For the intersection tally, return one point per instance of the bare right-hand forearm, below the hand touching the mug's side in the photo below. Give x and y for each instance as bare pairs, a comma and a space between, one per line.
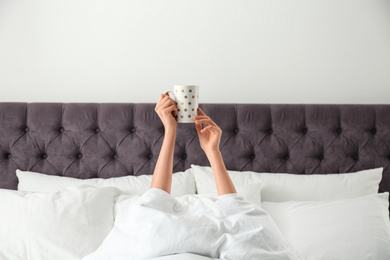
221, 176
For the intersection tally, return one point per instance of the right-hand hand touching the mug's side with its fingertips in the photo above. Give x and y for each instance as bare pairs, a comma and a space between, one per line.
210, 136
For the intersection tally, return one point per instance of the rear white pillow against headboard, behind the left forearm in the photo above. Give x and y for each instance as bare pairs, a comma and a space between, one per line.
182, 182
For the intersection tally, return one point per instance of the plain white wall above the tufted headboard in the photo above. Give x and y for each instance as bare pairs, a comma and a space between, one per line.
241, 51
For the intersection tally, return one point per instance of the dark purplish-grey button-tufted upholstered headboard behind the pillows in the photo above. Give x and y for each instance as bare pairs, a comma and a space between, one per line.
90, 140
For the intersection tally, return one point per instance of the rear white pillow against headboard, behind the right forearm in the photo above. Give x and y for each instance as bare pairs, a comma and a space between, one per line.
285, 187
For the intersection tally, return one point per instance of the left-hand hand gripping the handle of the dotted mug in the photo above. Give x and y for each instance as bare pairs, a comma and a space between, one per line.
166, 109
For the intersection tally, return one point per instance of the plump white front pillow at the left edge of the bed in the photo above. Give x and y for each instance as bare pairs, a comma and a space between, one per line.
63, 225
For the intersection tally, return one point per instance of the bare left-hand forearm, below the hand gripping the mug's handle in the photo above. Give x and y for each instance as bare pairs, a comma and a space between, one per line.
162, 176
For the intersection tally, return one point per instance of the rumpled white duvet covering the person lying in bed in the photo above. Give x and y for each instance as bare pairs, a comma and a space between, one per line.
159, 226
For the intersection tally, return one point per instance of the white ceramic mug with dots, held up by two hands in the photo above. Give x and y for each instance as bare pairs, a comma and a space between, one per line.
186, 98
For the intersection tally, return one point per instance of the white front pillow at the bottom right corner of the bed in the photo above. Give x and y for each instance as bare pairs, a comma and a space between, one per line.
345, 229
